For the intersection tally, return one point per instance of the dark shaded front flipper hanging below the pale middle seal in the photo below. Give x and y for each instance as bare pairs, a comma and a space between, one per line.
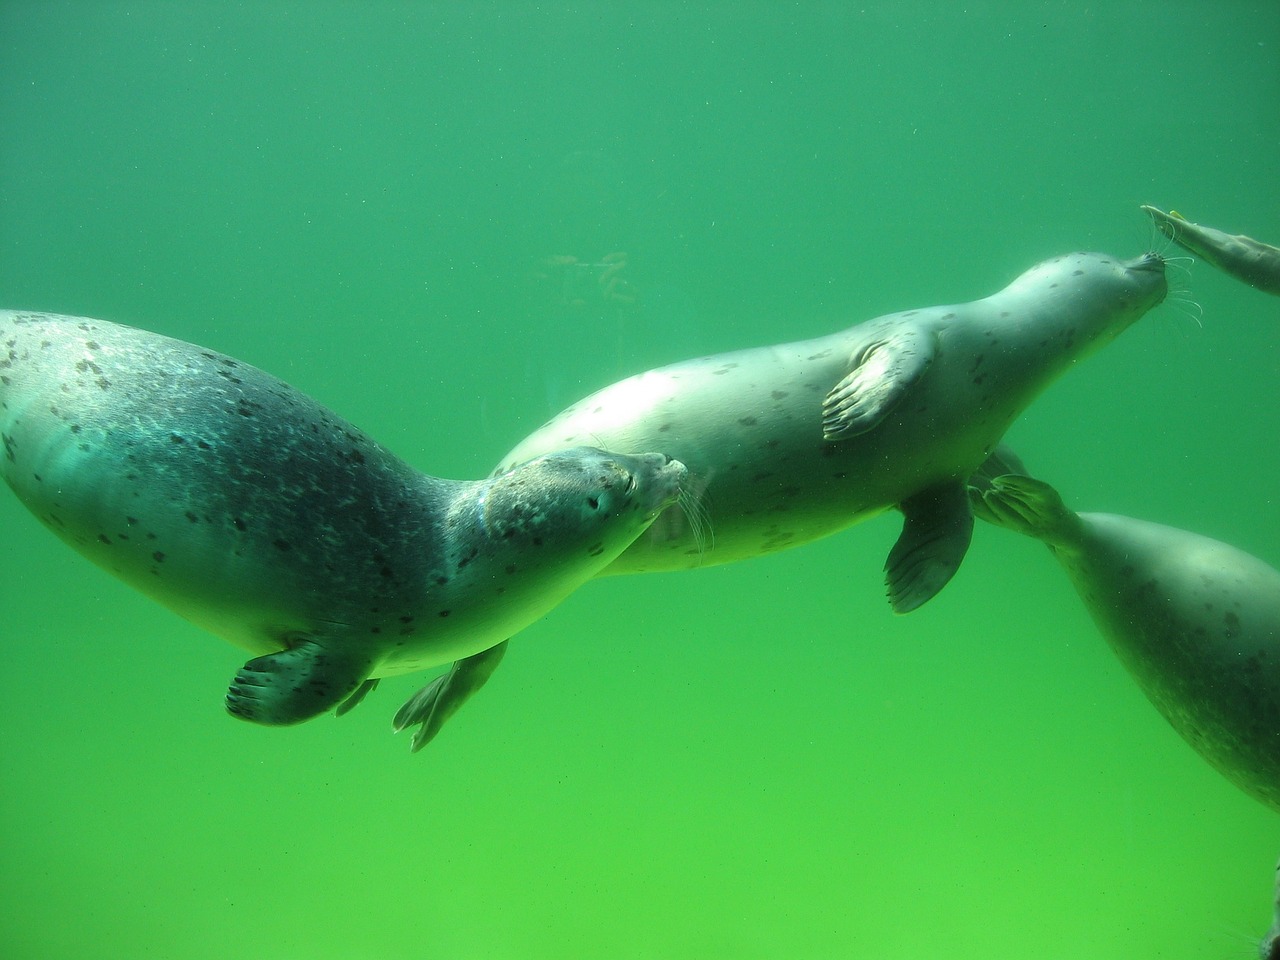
936, 532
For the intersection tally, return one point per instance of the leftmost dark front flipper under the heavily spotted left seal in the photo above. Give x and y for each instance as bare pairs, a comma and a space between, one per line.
296, 684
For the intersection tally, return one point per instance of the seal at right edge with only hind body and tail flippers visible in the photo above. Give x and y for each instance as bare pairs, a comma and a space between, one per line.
1195, 621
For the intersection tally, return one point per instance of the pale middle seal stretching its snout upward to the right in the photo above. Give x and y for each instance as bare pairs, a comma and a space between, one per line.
794, 442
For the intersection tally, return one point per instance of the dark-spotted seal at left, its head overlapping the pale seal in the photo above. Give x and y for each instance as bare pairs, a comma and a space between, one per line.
268, 520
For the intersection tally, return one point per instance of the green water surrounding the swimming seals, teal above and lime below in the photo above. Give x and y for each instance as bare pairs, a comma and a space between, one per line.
449, 222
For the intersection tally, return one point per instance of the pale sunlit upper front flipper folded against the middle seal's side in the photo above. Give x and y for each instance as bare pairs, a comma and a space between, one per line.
881, 376
